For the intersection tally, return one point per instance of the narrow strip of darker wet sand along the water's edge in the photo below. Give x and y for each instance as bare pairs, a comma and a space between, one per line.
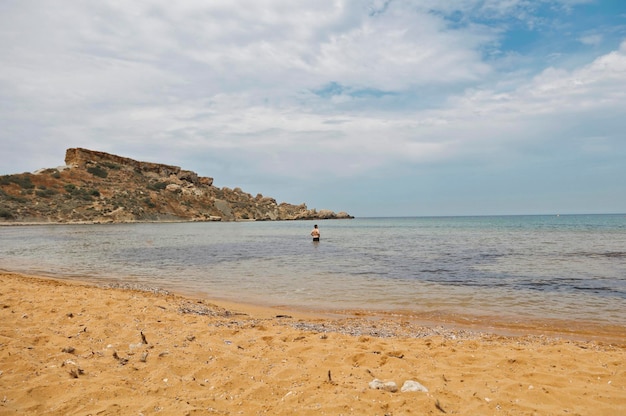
575, 330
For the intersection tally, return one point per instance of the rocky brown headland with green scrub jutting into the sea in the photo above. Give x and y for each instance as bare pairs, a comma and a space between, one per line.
100, 187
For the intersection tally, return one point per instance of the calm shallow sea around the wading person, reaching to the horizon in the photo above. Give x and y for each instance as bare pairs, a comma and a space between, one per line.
562, 267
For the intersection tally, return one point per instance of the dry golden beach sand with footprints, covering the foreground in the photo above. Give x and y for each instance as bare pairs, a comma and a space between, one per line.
74, 348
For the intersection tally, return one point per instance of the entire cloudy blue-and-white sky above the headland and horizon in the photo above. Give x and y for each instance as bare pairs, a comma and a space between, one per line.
376, 108
